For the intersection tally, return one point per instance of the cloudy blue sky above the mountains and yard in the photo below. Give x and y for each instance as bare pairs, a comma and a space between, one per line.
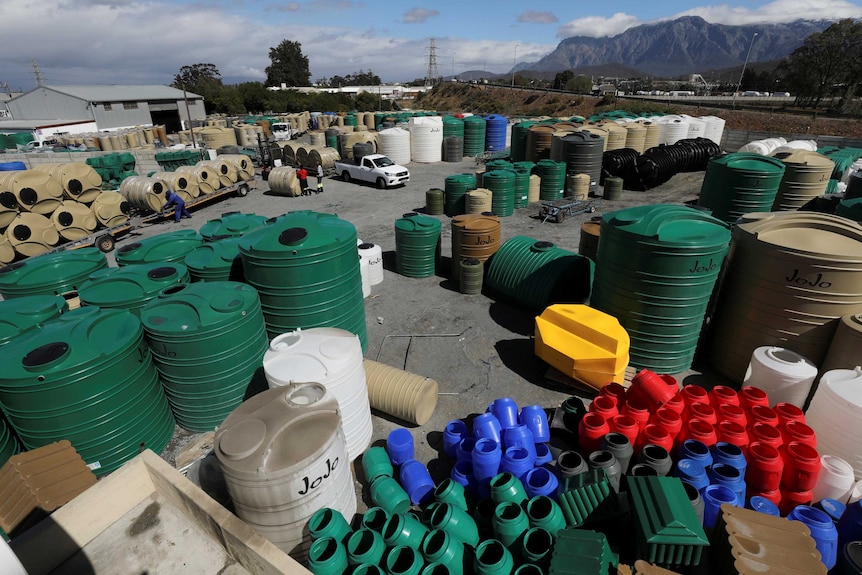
147, 41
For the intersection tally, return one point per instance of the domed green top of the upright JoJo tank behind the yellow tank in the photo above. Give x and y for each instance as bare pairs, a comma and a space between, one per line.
669, 225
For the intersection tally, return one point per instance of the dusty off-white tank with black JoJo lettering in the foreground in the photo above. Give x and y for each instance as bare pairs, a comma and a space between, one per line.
283, 457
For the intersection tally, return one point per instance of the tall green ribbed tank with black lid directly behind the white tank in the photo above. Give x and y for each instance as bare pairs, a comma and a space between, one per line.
305, 266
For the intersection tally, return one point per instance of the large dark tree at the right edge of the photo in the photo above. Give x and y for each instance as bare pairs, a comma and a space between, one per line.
827, 61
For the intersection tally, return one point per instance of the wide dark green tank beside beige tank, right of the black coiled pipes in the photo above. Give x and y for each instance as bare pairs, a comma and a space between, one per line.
739, 183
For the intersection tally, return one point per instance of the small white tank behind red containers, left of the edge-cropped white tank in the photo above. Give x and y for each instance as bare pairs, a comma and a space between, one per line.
783, 374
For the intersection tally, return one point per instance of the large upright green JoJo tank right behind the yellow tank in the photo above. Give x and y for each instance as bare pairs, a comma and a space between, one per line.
656, 269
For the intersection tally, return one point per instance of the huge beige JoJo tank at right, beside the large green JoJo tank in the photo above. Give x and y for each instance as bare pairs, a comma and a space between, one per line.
789, 279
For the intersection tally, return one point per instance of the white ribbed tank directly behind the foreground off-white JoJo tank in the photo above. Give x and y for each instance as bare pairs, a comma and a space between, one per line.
332, 357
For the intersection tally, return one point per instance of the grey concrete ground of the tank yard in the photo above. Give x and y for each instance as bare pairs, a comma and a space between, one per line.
477, 349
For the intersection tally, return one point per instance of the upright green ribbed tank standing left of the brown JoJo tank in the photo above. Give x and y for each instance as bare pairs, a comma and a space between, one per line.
417, 245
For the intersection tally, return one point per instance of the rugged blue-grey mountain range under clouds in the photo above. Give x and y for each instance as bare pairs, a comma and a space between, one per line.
686, 45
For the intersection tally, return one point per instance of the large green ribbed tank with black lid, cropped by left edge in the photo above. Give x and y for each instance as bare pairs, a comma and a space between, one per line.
87, 376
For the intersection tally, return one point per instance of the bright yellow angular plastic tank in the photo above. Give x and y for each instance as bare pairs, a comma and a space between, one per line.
583, 343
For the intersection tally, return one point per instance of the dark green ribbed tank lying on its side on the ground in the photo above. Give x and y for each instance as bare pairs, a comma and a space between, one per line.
534, 274
